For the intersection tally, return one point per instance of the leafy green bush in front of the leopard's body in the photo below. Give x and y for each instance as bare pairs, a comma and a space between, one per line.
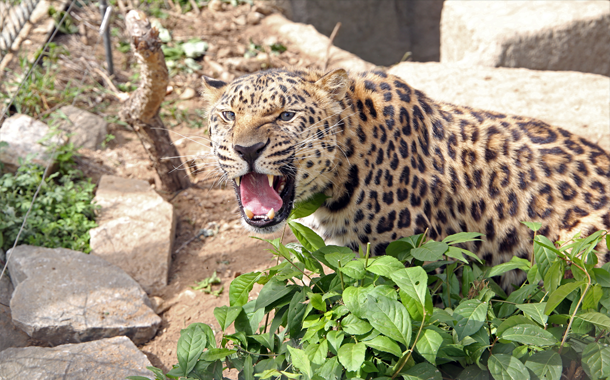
408, 314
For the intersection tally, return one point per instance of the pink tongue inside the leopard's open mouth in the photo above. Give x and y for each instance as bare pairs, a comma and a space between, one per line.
257, 196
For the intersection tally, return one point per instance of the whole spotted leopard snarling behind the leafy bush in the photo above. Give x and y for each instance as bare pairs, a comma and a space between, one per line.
393, 162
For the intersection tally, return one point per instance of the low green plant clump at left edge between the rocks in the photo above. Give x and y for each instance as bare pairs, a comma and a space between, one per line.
62, 214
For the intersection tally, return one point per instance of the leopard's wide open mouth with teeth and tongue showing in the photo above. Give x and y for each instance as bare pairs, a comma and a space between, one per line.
265, 200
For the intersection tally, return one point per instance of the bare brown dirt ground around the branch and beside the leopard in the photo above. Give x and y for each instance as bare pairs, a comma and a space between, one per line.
230, 31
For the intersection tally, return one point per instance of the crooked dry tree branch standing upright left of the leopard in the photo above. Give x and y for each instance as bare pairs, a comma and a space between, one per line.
141, 110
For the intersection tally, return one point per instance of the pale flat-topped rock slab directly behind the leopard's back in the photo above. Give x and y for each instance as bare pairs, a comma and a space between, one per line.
574, 101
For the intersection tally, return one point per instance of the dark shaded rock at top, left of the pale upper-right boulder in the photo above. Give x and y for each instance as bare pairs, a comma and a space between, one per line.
402, 26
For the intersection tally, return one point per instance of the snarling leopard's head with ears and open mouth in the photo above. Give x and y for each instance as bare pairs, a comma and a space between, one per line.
274, 136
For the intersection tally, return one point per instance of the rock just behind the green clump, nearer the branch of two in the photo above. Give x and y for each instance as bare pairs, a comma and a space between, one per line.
86, 129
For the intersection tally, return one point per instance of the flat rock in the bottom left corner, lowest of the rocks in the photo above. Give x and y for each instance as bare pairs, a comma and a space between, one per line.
109, 359
